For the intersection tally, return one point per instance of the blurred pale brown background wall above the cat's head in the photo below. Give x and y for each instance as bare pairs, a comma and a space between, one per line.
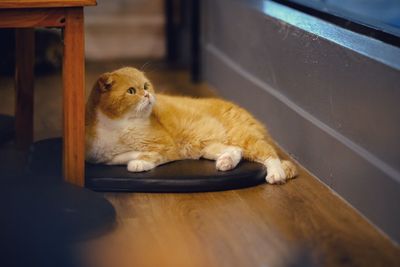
125, 29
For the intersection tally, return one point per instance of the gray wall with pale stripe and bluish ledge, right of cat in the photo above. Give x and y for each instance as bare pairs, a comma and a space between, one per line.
328, 96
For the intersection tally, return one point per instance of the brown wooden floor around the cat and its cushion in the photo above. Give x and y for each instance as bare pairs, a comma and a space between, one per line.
301, 223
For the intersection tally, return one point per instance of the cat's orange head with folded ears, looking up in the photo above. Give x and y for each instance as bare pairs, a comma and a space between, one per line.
125, 92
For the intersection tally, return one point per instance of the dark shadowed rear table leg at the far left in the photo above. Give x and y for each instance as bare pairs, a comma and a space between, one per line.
24, 79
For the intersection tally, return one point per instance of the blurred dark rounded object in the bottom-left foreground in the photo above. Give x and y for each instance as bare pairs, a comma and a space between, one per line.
44, 218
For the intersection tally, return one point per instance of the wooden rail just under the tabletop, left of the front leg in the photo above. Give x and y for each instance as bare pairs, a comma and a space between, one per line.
27, 18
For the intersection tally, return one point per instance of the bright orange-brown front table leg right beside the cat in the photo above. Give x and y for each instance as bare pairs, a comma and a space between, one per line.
74, 97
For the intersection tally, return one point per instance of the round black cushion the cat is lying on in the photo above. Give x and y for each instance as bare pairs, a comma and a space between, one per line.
179, 176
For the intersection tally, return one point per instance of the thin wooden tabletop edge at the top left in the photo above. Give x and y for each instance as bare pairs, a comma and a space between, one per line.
45, 3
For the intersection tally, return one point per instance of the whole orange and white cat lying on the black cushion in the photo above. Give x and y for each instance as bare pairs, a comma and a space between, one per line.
127, 123
